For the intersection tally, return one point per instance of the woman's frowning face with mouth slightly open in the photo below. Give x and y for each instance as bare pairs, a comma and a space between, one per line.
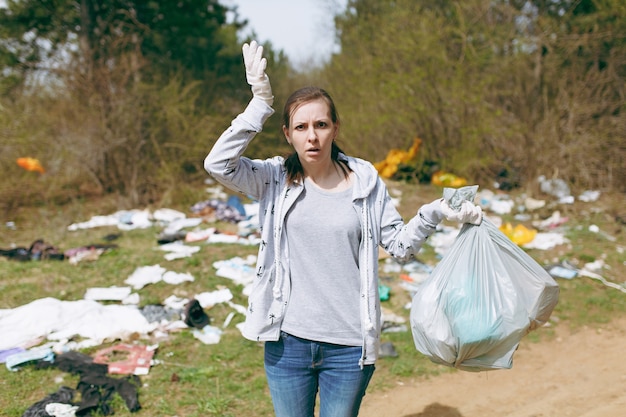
311, 132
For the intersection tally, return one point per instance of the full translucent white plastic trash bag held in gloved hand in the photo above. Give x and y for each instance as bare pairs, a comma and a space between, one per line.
481, 299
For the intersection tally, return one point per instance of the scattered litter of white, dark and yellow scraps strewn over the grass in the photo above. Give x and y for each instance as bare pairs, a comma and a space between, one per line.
50, 332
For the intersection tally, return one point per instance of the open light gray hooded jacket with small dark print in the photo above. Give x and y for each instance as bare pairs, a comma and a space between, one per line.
266, 181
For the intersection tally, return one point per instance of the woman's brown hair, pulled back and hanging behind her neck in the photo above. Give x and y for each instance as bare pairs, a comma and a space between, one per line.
295, 172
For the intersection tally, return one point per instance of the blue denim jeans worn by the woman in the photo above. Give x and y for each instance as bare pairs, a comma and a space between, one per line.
297, 368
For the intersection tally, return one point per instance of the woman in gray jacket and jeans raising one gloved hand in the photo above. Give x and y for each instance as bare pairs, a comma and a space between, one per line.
323, 214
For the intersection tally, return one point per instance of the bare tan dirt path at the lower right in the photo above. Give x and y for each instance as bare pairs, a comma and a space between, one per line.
581, 374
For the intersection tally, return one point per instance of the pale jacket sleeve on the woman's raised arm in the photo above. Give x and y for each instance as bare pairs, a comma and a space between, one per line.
225, 161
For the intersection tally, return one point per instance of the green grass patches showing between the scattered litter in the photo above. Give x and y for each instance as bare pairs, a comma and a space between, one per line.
227, 379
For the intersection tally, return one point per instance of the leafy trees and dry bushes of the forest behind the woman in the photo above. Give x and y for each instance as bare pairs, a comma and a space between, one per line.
124, 98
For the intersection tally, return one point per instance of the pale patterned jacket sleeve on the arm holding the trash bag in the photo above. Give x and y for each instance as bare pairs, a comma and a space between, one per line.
403, 240
